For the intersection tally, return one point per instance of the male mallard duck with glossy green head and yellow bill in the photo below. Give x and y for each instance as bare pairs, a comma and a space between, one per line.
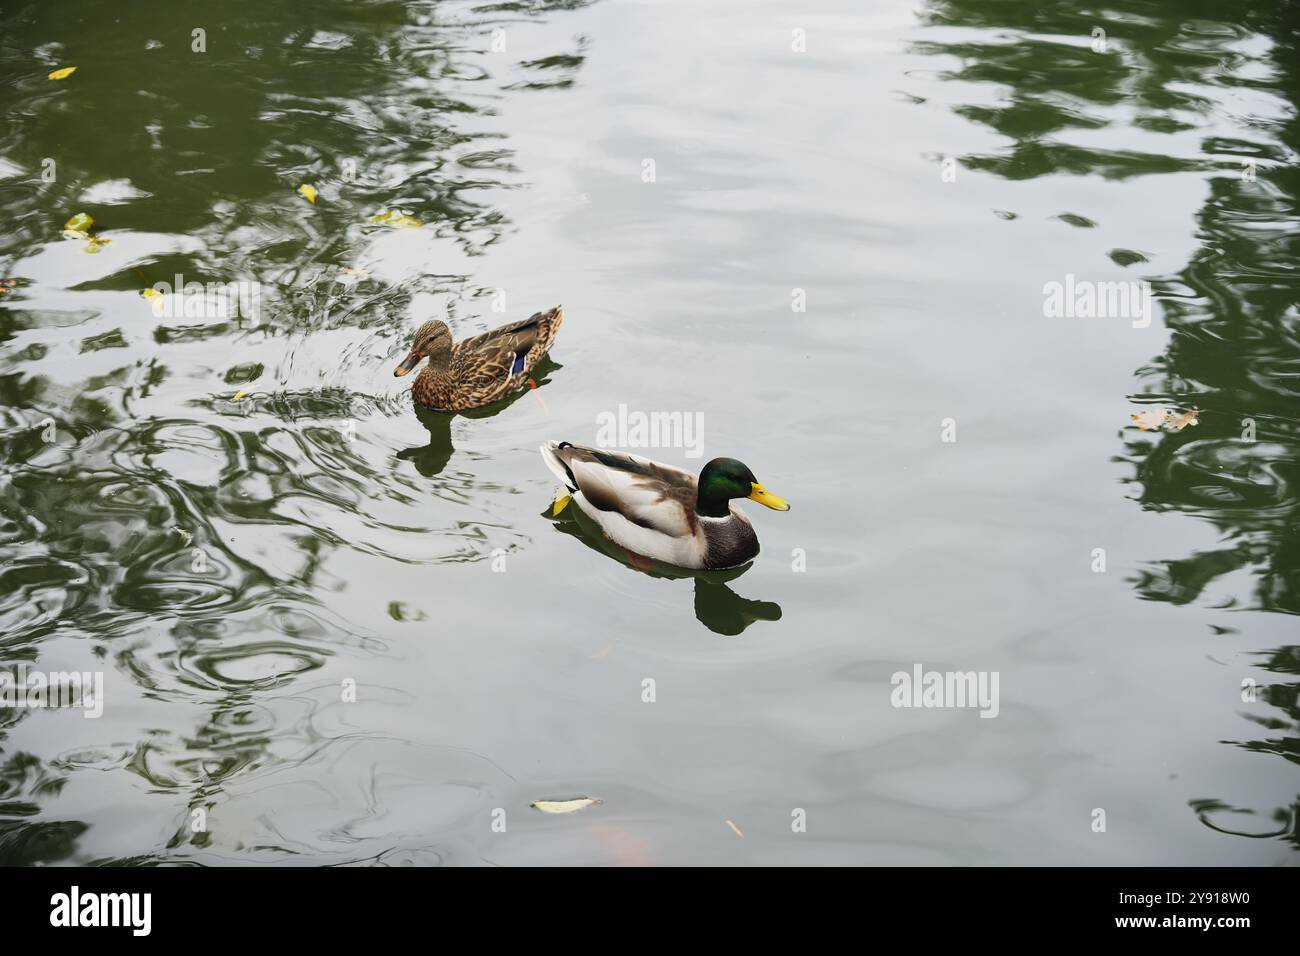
661, 512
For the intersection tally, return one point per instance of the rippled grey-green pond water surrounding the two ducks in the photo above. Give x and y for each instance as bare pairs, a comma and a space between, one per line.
242, 524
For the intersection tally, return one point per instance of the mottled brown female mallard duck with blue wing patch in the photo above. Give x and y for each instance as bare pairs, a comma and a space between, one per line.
478, 371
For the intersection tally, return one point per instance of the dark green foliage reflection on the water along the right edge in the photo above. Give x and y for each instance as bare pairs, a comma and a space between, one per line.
1234, 310
